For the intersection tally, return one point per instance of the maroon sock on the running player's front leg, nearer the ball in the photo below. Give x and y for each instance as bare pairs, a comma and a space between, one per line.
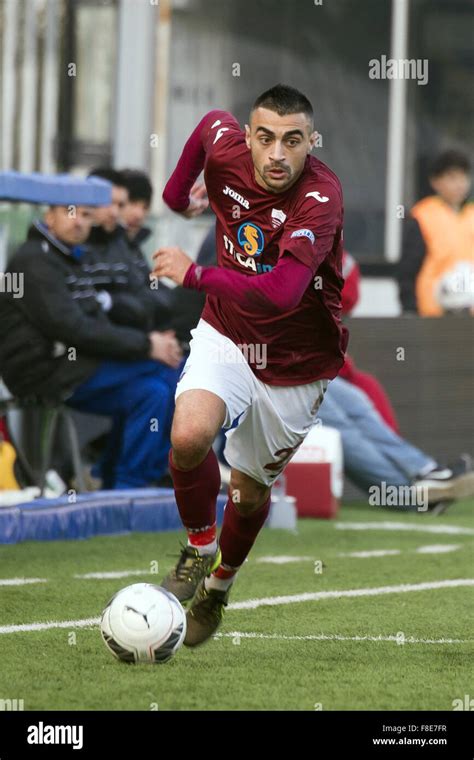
196, 494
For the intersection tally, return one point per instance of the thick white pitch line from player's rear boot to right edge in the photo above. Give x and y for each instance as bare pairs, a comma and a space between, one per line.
317, 596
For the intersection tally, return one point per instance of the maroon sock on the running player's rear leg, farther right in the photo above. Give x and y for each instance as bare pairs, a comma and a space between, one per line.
239, 532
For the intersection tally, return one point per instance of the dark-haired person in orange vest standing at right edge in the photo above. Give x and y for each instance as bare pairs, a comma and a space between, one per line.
436, 271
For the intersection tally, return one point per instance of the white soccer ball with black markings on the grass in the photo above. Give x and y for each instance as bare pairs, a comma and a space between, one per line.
143, 623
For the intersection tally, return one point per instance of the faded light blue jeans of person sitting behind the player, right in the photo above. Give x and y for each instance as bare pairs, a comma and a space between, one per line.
372, 451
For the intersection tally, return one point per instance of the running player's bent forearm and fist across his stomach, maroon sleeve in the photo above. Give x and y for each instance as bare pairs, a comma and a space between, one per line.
280, 290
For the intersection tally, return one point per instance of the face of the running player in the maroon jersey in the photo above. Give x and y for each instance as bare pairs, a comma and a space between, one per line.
279, 146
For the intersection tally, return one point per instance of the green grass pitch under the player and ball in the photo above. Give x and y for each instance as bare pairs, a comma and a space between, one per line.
302, 655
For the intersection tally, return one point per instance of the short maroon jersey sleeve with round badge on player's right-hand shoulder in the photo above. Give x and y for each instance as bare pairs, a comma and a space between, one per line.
310, 233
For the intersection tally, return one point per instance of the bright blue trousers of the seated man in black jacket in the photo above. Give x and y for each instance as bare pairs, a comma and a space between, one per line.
139, 396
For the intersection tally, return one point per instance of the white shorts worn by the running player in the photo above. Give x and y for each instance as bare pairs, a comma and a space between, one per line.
272, 420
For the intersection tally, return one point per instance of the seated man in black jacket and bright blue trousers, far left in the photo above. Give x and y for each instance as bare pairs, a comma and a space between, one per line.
58, 342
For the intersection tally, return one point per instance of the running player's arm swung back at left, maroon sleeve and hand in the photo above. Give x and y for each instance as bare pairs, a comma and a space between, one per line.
181, 192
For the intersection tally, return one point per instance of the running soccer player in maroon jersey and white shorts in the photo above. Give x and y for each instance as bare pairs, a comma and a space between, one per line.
270, 337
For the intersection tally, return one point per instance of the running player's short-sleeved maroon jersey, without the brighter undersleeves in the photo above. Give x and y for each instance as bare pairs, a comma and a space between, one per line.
254, 229
